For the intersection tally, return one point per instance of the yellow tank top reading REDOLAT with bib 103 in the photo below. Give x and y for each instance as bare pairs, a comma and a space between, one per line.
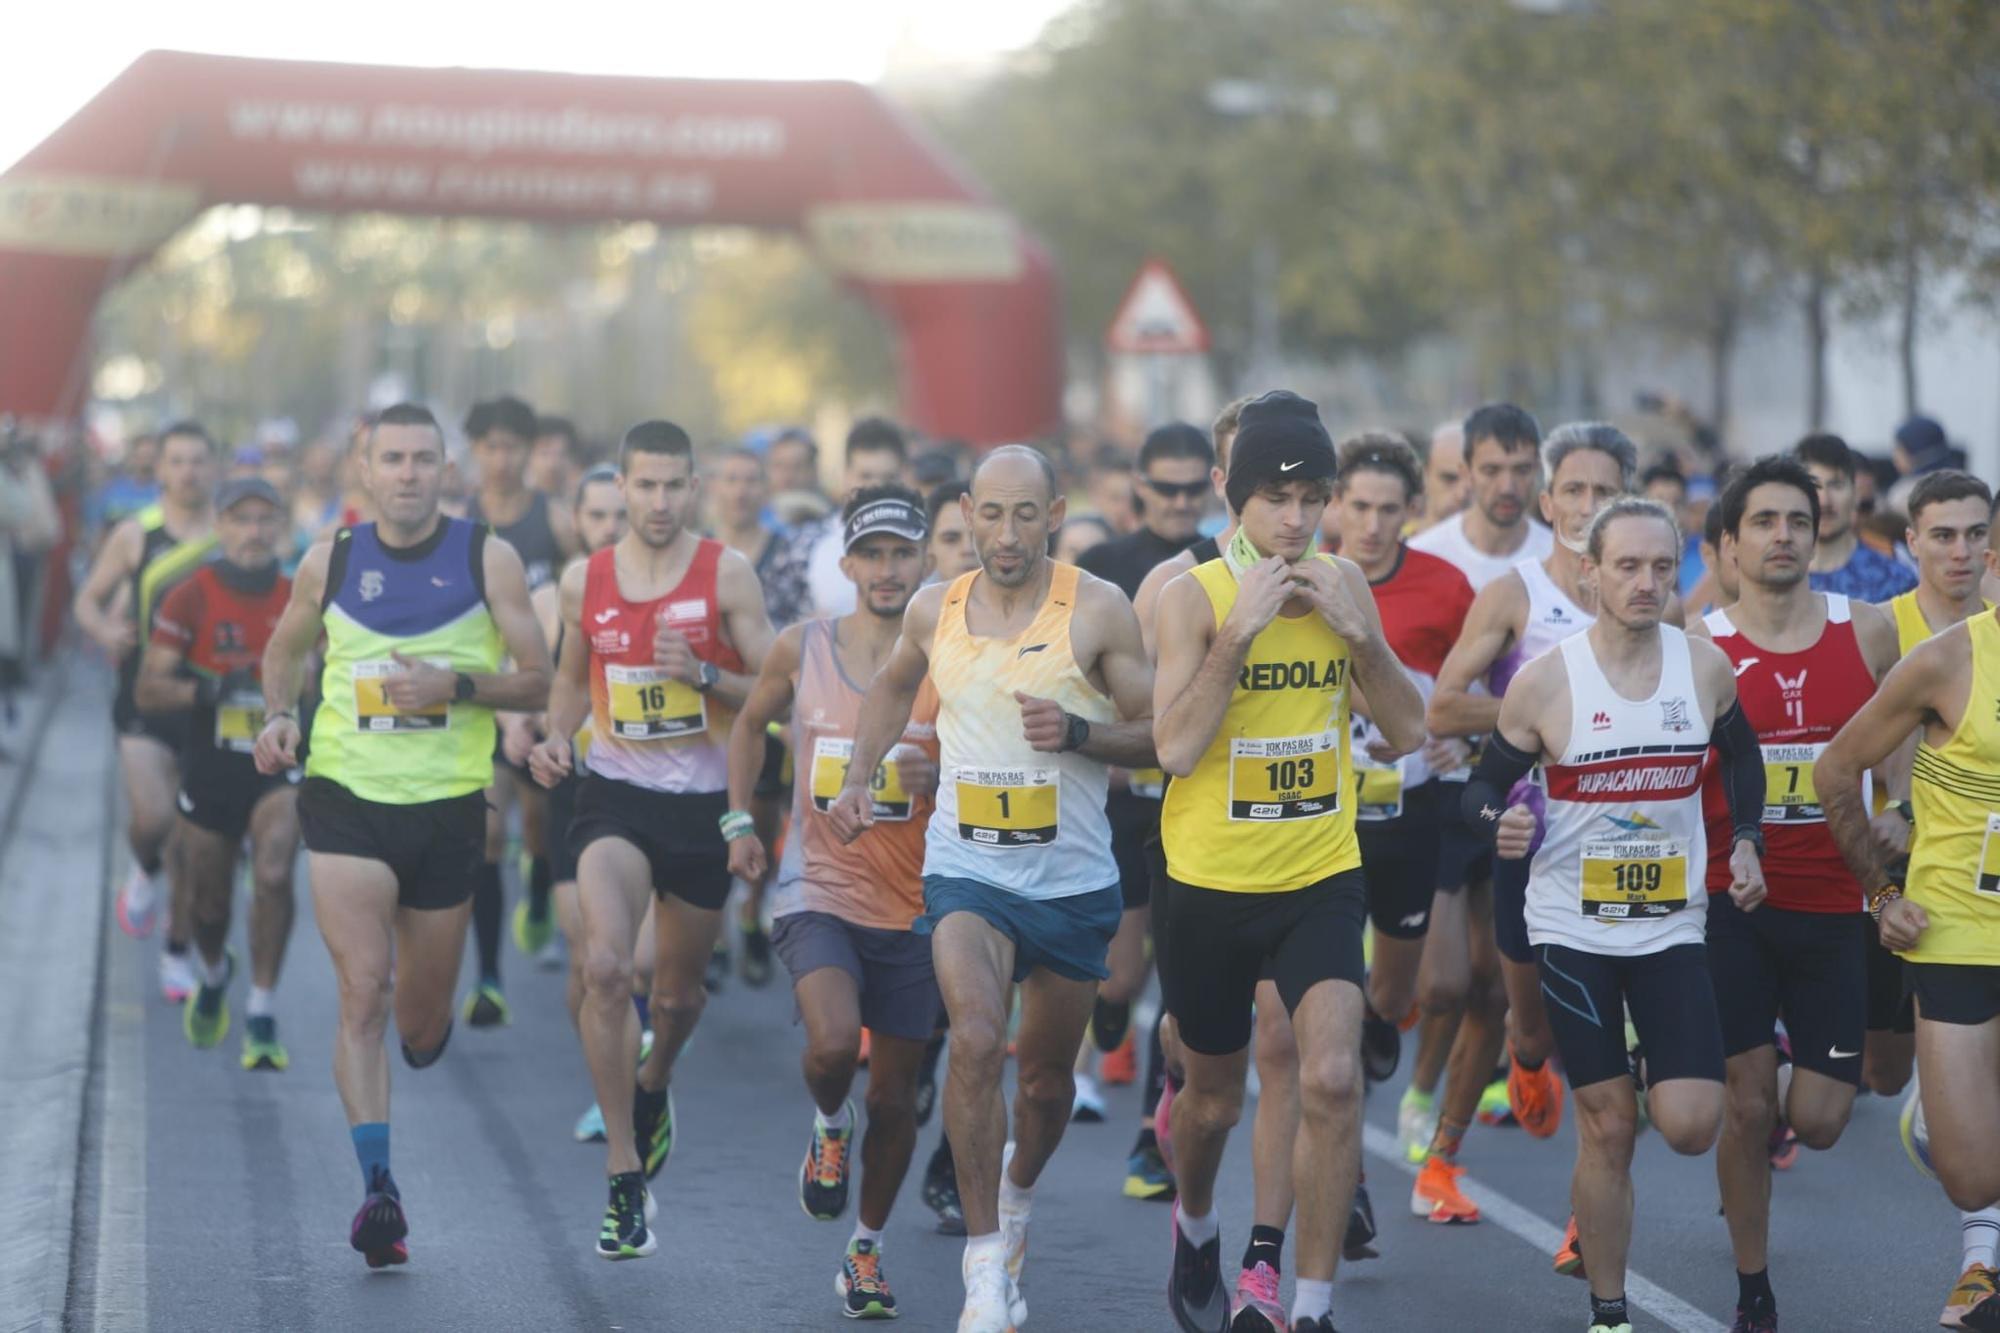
1271, 804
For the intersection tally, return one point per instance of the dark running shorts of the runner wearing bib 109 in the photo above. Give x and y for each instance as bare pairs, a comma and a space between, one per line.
1673, 1010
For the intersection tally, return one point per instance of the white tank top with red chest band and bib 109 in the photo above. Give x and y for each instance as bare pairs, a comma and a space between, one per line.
1625, 852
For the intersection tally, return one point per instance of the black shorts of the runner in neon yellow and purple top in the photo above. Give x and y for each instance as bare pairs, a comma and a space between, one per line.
437, 850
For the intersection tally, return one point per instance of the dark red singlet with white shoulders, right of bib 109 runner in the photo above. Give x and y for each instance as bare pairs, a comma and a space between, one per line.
1795, 702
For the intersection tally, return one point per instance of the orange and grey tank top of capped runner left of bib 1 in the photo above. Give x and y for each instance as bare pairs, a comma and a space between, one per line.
879, 878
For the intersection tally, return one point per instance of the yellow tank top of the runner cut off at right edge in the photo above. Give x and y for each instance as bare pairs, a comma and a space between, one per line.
1955, 848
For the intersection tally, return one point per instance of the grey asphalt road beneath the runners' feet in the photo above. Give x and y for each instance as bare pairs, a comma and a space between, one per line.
209, 1198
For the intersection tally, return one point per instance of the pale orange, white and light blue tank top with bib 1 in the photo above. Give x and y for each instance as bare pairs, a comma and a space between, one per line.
1011, 816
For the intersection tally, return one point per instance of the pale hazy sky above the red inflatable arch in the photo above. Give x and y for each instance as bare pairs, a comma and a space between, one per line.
65, 53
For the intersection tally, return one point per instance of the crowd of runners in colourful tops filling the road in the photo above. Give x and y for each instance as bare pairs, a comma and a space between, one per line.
1431, 744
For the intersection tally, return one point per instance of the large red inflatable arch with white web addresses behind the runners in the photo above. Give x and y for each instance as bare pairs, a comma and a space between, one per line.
971, 295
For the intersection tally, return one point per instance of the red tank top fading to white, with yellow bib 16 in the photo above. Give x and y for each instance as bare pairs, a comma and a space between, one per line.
647, 728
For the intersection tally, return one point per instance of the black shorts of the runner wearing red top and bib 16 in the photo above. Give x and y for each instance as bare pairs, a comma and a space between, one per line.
679, 834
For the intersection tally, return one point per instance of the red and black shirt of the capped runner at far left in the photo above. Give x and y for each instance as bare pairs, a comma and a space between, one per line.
219, 619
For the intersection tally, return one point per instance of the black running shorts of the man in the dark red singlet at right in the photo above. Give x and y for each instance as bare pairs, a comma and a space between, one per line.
1805, 968
